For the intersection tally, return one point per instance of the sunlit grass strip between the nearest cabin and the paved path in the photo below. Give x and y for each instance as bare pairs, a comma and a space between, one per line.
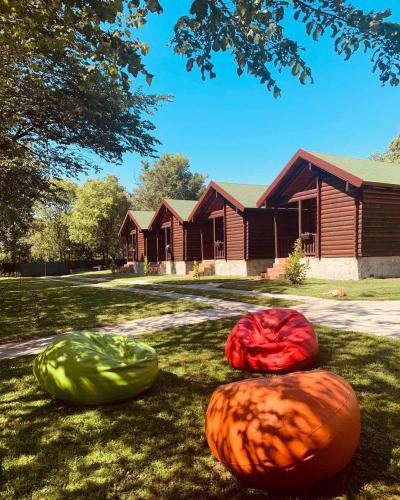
368, 289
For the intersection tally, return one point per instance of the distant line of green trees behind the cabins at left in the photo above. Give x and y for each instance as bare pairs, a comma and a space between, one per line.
81, 222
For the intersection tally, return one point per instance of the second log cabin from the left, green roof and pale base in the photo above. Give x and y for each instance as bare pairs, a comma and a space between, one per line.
177, 242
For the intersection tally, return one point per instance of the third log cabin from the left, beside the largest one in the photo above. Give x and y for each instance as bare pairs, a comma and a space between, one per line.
236, 238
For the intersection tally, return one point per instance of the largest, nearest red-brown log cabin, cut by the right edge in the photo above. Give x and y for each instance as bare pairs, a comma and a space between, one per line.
345, 210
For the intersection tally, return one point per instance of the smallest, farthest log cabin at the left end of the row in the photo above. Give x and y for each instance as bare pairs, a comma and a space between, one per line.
136, 240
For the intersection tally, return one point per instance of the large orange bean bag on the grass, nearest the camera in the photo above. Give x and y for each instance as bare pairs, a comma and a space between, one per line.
286, 431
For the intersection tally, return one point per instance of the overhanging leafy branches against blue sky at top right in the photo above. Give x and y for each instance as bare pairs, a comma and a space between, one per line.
255, 31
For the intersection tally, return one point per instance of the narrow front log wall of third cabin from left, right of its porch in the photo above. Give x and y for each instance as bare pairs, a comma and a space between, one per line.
235, 234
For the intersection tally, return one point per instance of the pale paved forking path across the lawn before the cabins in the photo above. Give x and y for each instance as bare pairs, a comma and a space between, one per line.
378, 317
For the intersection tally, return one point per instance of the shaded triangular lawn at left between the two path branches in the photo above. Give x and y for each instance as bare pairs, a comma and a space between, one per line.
32, 308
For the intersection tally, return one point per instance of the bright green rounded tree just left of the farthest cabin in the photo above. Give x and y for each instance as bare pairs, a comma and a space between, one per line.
99, 207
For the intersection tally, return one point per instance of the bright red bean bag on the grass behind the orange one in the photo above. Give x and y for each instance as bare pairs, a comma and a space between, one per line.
272, 341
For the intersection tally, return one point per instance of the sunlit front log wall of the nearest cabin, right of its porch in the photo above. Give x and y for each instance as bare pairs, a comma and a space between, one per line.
338, 218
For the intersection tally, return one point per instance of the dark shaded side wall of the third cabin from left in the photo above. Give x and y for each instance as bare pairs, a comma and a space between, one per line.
260, 234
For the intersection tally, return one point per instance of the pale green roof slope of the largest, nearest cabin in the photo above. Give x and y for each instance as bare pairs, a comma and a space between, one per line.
370, 171
